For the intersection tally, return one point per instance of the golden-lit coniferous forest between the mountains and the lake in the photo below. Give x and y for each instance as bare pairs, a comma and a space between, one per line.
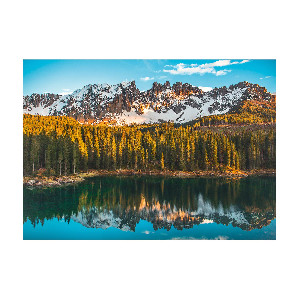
62, 146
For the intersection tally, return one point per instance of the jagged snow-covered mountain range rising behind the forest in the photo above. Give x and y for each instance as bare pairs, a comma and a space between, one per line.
124, 103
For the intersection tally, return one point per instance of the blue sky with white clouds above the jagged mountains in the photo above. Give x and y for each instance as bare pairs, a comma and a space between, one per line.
65, 76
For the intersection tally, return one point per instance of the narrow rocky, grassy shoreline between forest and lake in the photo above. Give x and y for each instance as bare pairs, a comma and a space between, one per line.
53, 181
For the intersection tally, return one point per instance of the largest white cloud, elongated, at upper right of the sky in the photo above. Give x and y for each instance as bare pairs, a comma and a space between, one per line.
183, 69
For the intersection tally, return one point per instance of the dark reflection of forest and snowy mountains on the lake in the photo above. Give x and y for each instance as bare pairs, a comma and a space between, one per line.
121, 202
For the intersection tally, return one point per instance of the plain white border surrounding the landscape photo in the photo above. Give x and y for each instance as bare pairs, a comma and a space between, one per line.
141, 269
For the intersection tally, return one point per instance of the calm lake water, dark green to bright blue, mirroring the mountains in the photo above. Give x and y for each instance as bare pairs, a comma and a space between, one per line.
153, 208
